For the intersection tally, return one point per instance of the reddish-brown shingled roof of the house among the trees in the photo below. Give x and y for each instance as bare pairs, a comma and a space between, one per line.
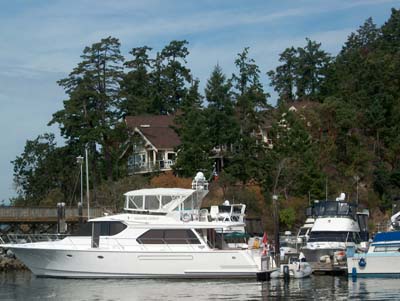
157, 129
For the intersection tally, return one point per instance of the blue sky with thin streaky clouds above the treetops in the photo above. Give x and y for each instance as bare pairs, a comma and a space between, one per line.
42, 40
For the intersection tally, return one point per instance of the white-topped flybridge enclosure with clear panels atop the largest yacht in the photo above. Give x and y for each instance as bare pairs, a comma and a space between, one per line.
162, 200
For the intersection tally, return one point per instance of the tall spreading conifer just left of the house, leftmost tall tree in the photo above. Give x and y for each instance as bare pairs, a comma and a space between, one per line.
90, 113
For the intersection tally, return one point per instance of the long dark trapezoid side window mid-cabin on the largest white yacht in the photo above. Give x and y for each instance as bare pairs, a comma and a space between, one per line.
170, 236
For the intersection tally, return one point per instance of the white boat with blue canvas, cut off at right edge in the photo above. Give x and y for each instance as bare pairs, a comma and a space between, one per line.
381, 260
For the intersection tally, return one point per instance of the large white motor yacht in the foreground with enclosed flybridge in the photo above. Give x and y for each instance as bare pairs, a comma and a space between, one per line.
162, 234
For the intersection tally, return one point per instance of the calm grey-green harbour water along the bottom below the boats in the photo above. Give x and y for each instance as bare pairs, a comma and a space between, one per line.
25, 286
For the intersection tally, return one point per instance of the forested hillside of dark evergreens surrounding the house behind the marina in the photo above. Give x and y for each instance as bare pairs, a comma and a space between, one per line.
335, 126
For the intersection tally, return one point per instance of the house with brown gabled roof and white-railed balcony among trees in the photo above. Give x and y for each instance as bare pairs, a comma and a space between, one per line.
153, 142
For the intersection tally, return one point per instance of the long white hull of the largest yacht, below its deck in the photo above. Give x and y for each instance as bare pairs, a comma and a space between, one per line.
96, 263
